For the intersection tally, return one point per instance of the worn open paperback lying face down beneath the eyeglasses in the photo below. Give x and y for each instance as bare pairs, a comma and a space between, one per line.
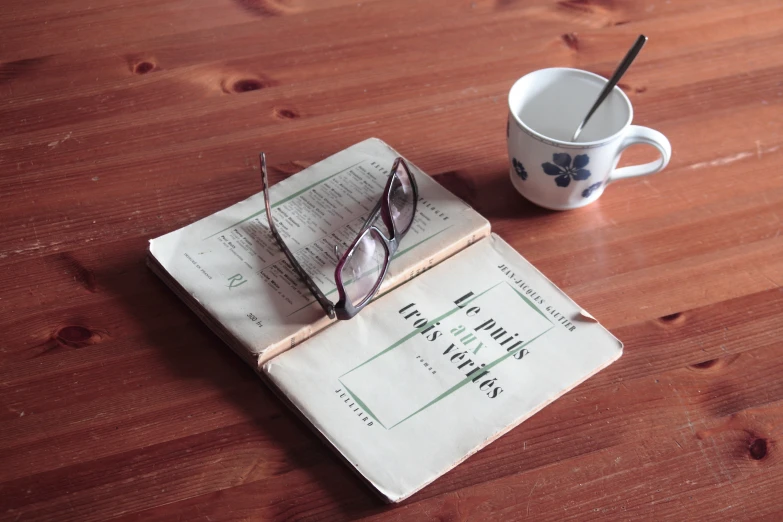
438, 366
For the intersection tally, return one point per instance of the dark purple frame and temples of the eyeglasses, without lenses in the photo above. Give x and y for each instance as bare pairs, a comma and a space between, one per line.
345, 309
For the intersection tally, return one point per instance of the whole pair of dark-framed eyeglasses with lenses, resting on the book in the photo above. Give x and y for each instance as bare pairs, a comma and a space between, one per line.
361, 269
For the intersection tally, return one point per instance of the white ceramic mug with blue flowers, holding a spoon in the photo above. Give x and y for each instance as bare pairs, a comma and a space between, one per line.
547, 168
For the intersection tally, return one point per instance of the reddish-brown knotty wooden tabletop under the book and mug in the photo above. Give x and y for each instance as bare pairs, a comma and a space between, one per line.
125, 119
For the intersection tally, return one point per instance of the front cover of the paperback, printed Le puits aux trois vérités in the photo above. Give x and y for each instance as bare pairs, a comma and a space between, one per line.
430, 373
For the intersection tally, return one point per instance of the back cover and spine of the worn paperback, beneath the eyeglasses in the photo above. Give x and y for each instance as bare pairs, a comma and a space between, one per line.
230, 265
